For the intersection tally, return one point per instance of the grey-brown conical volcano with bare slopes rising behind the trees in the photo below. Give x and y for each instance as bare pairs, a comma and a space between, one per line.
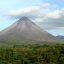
24, 29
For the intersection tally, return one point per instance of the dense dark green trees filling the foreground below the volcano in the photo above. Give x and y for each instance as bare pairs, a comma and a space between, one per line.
33, 54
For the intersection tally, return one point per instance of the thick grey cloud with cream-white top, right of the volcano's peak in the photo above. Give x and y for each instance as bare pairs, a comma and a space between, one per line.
52, 20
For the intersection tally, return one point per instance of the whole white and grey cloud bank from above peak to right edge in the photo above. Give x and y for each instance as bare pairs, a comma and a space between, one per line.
42, 15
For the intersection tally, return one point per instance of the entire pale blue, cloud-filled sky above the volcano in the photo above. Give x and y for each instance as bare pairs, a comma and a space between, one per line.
48, 14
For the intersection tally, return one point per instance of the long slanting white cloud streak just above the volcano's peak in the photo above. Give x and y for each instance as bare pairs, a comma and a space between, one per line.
28, 11
